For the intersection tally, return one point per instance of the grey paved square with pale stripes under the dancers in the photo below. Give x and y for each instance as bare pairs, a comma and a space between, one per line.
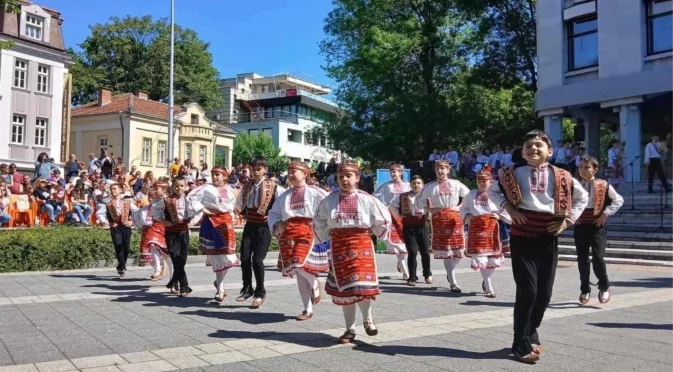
90, 320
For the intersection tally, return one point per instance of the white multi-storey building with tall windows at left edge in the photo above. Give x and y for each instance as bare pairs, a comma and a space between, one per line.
34, 87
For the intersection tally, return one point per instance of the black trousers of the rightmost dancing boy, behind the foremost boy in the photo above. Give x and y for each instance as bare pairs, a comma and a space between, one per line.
589, 237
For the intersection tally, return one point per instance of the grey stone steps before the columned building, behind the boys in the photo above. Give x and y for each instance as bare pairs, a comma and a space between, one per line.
640, 233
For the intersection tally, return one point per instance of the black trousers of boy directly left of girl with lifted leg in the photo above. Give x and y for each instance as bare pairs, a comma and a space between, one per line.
254, 247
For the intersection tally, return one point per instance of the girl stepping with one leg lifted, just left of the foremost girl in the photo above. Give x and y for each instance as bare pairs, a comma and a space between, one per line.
291, 222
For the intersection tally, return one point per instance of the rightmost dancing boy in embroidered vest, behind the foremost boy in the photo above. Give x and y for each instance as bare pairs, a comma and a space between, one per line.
590, 232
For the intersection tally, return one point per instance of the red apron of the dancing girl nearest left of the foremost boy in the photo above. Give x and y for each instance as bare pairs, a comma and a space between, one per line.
483, 237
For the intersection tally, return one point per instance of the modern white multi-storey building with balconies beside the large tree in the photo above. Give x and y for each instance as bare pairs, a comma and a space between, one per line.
289, 109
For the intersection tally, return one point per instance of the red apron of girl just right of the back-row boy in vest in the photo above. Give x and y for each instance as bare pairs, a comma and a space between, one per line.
447, 235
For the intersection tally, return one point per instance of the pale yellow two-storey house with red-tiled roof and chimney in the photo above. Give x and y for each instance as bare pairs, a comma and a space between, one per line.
136, 128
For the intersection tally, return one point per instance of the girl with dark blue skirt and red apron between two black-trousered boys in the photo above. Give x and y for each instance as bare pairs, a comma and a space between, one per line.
217, 238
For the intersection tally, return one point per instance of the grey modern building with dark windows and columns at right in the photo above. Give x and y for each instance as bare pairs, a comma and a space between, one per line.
606, 63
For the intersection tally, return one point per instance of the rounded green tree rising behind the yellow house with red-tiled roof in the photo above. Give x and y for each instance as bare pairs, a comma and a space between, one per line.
133, 53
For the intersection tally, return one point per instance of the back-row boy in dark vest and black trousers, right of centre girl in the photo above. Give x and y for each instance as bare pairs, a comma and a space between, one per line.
415, 232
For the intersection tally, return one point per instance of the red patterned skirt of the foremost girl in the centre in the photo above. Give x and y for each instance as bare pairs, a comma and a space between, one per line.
353, 276
